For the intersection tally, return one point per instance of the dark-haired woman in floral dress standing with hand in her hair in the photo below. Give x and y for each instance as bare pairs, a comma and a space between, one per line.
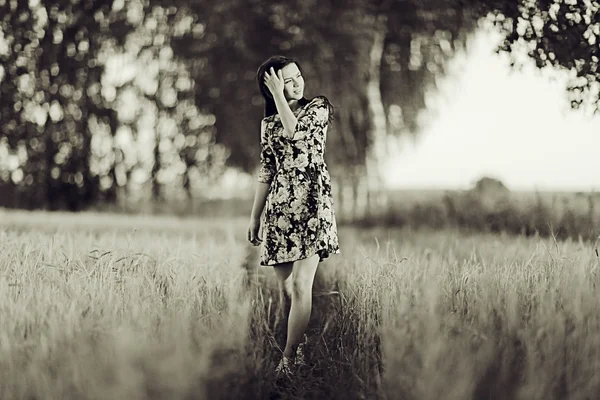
299, 228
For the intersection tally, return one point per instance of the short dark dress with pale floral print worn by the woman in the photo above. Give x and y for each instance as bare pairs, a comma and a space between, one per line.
299, 219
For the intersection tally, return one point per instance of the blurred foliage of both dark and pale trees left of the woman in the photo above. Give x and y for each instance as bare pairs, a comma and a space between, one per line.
85, 88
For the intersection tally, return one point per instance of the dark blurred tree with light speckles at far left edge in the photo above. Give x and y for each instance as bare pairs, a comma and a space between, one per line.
48, 94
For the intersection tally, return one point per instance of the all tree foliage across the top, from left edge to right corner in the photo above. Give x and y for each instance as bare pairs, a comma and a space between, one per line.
111, 98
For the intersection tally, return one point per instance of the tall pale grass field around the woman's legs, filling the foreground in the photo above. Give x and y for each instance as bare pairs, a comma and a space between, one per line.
100, 306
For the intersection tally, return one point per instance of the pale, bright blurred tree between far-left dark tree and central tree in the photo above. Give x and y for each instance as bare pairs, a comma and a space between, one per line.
169, 140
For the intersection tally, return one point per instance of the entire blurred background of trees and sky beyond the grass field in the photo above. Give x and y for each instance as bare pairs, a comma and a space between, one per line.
448, 112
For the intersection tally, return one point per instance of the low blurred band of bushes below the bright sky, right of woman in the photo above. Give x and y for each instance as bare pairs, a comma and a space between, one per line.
564, 216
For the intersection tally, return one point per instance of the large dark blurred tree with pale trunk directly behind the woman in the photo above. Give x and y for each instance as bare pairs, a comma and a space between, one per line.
375, 59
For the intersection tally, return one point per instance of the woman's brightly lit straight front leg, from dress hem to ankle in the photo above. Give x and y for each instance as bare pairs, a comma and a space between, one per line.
303, 276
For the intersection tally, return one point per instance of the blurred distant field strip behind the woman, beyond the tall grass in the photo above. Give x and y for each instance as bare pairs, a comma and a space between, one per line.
559, 214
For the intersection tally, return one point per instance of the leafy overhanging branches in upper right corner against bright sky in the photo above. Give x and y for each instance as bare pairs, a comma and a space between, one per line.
559, 33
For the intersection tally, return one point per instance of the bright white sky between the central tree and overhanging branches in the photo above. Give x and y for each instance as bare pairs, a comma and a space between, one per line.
492, 120
